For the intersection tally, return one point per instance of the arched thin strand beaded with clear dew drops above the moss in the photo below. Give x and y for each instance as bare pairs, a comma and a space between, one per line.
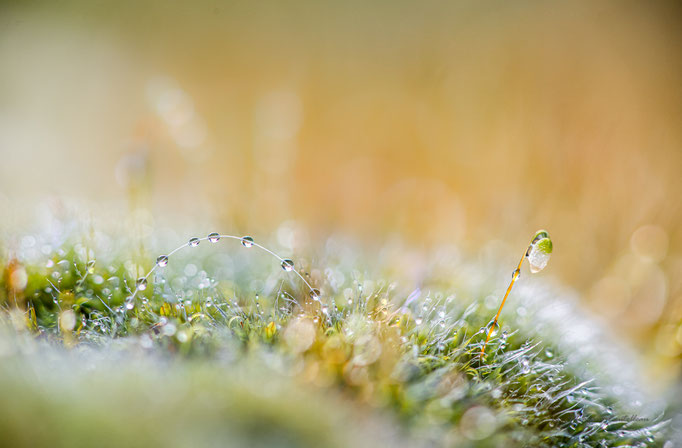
246, 241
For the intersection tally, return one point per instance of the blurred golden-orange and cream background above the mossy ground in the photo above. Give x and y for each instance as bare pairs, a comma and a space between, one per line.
437, 123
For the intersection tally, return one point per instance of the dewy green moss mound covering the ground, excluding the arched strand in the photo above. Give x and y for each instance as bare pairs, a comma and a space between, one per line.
224, 348
